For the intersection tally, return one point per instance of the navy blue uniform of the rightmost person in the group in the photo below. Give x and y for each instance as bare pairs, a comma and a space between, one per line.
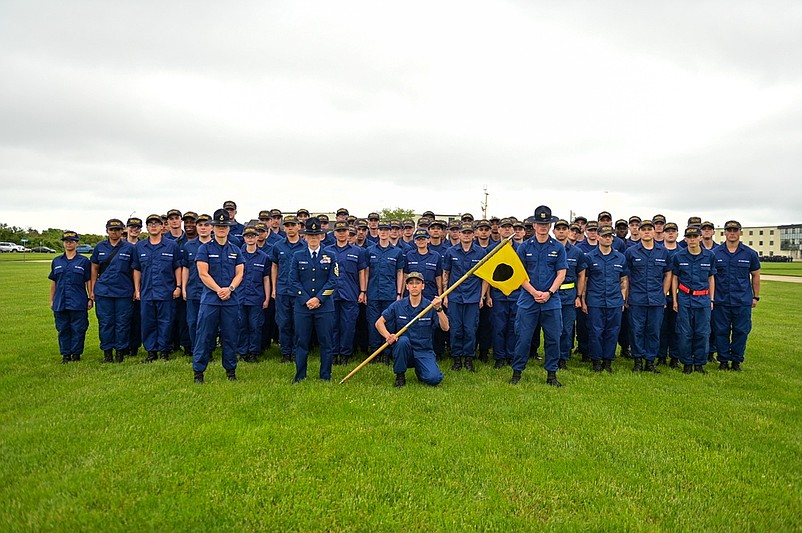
732, 311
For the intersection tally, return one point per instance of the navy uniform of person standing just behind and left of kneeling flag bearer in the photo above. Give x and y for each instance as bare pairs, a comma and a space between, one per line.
384, 263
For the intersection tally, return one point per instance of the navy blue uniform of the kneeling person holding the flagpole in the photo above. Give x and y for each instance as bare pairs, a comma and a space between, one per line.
414, 347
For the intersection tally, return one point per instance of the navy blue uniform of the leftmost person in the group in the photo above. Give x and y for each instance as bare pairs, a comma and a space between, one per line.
70, 303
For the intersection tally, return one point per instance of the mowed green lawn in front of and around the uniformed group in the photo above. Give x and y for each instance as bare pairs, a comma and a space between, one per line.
135, 447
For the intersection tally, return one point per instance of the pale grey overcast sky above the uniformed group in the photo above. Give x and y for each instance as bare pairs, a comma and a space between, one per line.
637, 107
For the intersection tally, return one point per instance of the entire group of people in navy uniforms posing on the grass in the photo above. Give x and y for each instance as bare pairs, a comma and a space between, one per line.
633, 282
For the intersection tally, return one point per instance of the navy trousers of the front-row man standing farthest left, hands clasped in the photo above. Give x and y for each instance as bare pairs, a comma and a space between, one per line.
211, 319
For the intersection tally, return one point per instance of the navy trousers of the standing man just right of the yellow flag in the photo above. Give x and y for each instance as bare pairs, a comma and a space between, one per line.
526, 321
